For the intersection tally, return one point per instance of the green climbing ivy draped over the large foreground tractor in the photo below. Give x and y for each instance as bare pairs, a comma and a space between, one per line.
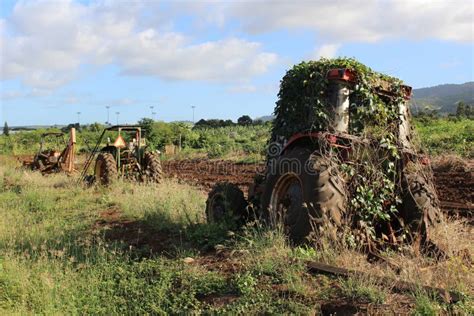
372, 174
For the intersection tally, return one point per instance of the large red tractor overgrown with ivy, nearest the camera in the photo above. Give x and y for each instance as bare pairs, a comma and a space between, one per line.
342, 162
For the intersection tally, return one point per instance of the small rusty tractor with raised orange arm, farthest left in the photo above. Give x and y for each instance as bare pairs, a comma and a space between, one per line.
53, 159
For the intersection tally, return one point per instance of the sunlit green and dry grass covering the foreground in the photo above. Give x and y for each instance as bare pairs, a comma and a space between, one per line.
67, 249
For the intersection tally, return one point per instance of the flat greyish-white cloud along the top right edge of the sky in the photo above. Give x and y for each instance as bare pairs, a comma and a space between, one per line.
362, 20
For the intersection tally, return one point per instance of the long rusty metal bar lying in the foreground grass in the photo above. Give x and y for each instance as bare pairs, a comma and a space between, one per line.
443, 295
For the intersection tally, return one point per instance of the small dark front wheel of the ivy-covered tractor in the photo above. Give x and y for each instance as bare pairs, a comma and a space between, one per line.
226, 202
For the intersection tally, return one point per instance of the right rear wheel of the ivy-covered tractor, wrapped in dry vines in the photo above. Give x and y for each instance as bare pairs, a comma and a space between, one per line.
420, 209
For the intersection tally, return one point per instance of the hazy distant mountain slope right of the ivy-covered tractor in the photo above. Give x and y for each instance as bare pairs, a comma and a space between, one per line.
443, 98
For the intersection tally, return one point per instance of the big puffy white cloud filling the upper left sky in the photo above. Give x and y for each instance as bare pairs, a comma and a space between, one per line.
44, 44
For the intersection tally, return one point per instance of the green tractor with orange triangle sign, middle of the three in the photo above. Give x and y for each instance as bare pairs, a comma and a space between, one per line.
126, 157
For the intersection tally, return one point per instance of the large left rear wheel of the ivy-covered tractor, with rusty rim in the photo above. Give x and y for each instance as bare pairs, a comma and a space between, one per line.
304, 192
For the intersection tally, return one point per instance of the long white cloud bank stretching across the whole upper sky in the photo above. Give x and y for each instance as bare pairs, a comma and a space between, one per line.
44, 44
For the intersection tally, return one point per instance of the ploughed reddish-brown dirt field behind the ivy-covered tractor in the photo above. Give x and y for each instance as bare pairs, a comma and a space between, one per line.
455, 187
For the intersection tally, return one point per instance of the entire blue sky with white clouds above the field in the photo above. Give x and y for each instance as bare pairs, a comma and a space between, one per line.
225, 58
